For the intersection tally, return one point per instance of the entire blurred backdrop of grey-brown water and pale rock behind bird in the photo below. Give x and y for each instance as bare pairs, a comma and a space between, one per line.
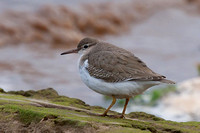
164, 34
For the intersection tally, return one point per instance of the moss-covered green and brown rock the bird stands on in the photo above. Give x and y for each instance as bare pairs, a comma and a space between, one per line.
64, 114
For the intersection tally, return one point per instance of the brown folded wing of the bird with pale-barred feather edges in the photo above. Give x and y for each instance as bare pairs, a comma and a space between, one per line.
120, 65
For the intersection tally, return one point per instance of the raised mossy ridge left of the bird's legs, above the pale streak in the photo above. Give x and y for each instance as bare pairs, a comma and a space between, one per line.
52, 96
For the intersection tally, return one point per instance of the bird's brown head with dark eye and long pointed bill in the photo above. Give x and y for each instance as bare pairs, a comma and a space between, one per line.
83, 46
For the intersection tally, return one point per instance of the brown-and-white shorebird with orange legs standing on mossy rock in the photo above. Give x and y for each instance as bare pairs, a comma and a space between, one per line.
114, 71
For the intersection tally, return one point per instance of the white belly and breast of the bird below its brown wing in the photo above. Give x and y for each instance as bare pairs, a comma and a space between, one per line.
123, 89
